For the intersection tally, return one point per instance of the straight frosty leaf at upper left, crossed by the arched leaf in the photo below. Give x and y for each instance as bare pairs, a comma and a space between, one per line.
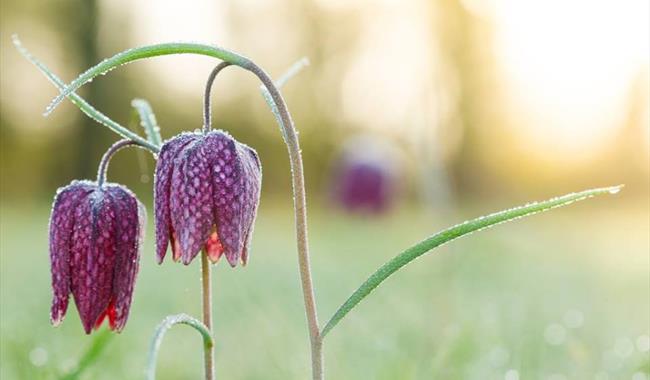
85, 107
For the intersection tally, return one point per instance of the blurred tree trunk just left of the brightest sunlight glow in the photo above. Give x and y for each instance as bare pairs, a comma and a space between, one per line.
466, 43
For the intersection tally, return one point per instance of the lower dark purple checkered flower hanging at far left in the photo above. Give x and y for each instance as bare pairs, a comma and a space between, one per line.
95, 239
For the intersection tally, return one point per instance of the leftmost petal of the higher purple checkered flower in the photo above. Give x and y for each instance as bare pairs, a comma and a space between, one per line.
162, 183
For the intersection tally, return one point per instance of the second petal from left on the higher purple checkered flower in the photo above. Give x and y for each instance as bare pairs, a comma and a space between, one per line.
191, 200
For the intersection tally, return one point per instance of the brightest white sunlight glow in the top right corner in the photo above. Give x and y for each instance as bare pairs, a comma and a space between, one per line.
570, 67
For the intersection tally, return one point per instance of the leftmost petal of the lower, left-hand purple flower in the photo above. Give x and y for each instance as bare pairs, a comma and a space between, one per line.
61, 224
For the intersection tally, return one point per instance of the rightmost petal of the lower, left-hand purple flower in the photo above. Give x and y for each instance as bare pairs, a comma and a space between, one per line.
129, 232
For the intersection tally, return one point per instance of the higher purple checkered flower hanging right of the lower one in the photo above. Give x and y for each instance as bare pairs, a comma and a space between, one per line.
207, 190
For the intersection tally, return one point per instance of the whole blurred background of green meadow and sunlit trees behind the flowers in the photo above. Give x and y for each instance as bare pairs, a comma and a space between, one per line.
489, 104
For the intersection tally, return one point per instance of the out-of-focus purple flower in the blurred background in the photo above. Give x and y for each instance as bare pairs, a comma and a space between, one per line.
365, 178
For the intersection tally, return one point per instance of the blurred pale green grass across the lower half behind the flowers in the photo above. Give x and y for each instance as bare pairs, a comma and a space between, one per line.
478, 308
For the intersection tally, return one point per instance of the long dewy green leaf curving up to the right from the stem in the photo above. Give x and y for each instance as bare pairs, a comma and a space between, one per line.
452, 233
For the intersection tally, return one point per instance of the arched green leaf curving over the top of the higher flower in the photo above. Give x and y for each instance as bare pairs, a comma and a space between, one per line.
149, 51
